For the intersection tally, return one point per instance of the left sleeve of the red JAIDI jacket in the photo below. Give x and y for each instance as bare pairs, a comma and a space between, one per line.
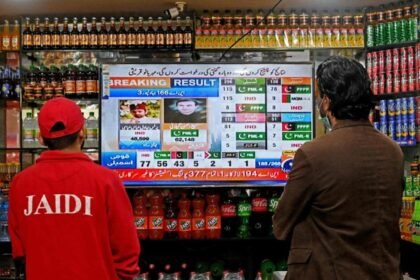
13, 221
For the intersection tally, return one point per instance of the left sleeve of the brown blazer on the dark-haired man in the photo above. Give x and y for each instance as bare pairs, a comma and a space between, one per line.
295, 199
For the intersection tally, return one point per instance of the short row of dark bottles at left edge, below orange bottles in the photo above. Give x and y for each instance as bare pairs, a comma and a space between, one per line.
10, 87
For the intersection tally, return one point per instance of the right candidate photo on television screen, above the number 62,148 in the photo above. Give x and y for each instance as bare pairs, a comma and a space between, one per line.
185, 110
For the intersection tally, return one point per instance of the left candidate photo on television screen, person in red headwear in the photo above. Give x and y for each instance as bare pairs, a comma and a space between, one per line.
139, 111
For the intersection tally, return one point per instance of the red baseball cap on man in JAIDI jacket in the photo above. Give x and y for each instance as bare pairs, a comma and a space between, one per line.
58, 110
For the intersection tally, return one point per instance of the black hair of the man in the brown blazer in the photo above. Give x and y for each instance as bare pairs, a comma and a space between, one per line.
346, 83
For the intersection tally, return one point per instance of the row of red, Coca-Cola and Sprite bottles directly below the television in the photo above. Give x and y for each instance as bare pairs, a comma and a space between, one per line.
196, 216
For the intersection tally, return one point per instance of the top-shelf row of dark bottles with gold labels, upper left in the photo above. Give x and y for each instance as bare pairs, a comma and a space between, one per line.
150, 34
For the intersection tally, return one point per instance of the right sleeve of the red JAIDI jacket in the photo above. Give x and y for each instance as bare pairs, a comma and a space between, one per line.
125, 245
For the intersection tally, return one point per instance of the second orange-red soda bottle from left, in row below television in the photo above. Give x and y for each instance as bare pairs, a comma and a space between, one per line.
156, 217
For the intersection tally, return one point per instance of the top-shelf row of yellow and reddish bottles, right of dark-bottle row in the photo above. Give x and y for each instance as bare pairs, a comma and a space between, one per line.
280, 30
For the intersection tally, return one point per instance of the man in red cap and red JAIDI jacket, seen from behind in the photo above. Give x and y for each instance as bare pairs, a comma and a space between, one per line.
70, 218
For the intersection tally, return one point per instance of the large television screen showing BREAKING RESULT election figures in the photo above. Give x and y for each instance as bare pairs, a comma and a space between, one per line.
205, 124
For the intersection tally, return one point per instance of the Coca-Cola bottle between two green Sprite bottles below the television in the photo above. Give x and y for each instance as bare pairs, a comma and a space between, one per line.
260, 220
